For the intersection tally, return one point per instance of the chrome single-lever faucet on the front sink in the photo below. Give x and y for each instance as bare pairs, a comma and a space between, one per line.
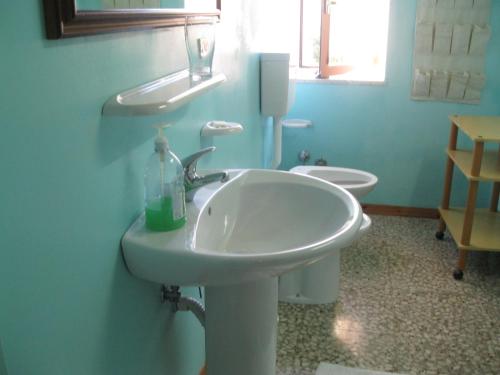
193, 181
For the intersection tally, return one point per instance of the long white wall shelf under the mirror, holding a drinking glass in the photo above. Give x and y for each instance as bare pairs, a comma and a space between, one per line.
162, 95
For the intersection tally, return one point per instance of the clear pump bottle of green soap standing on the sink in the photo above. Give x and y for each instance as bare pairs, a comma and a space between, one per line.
164, 188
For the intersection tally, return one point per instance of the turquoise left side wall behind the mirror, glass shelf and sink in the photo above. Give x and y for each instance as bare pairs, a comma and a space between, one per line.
71, 184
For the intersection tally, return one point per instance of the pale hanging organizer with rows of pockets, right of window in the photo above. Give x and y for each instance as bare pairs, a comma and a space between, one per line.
451, 37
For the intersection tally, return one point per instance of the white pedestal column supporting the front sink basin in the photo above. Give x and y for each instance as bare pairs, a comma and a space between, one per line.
241, 328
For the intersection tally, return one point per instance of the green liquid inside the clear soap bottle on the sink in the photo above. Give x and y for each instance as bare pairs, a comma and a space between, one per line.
159, 216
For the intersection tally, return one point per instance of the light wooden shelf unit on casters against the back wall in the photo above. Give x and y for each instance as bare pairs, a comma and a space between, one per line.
472, 230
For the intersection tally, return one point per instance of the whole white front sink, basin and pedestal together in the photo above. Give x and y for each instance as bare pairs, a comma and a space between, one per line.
238, 238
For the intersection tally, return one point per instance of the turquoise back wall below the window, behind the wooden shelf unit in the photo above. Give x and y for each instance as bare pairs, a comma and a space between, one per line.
379, 129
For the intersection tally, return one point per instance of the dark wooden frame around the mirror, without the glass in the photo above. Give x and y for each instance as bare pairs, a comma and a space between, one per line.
64, 20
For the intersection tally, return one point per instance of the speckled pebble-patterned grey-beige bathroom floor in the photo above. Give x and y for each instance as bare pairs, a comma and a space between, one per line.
400, 310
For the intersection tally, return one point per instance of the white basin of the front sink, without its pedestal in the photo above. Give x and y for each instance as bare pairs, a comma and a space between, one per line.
259, 224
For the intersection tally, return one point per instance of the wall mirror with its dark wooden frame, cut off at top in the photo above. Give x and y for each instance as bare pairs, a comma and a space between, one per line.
70, 18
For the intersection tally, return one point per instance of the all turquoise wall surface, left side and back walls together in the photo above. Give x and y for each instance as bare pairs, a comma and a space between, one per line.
71, 180
